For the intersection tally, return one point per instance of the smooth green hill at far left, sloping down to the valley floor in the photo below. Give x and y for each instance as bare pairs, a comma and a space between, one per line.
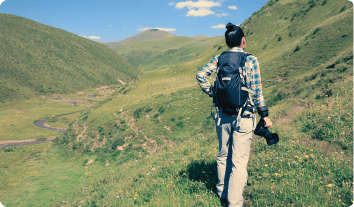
39, 59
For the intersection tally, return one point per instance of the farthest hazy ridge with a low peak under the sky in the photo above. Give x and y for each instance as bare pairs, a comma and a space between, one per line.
151, 34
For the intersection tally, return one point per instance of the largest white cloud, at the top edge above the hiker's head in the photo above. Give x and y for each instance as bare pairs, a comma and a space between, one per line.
200, 8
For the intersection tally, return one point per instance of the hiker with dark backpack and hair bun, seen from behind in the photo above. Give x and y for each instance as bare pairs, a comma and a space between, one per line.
237, 90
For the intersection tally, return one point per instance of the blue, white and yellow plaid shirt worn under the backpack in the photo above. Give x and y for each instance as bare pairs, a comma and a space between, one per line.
253, 76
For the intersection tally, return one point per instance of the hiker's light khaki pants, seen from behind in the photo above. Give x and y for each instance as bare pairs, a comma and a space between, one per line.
234, 150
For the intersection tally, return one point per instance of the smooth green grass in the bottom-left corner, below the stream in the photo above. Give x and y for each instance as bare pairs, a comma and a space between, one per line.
37, 175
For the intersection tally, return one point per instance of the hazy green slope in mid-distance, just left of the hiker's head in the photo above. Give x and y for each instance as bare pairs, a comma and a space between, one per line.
157, 54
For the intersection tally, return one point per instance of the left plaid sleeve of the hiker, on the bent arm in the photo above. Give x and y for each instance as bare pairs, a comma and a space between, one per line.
206, 72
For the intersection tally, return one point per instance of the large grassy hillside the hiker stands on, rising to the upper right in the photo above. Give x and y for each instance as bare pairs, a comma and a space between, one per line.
159, 138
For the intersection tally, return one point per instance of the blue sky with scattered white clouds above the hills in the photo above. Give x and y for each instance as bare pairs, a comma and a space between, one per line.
114, 20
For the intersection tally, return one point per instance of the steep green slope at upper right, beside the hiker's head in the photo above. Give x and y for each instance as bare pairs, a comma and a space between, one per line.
293, 37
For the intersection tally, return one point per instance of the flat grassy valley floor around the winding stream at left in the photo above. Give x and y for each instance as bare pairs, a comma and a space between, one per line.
17, 118
